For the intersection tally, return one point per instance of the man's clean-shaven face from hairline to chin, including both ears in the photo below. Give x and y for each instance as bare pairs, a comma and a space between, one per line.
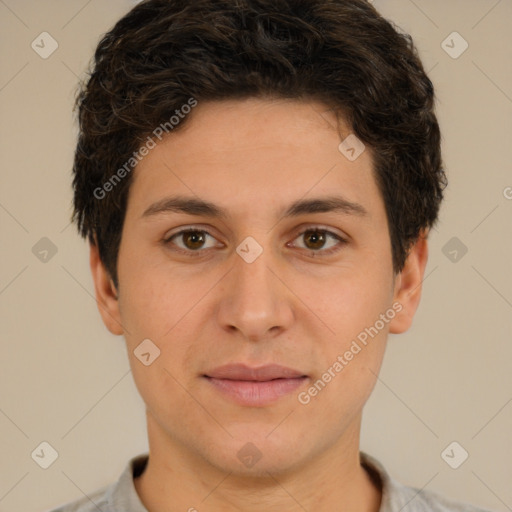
268, 272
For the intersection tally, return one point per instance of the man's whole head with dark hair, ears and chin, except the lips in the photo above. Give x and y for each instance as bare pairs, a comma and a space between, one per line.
241, 108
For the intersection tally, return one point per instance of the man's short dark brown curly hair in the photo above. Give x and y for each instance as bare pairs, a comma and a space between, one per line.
344, 53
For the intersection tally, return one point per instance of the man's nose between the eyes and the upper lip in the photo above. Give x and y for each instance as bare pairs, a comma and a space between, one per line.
255, 301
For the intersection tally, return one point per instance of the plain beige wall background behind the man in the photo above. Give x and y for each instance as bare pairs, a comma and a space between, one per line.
65, 380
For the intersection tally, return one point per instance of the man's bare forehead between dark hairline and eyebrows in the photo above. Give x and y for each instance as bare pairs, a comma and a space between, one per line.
250, 154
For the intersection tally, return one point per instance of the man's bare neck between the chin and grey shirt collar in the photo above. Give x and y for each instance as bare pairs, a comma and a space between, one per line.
175, 479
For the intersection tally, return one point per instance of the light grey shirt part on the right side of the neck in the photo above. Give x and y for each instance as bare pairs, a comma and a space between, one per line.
397, 497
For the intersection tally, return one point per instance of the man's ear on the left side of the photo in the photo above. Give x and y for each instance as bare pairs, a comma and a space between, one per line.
106, 294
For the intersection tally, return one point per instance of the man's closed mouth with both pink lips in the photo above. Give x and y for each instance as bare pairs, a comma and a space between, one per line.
253, 387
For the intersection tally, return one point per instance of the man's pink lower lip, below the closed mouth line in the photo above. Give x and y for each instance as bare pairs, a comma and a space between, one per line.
254, 393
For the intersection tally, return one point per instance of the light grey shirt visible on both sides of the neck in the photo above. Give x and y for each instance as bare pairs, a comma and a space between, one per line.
122, 496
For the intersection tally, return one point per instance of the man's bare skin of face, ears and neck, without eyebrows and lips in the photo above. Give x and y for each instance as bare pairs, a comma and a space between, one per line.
291, 306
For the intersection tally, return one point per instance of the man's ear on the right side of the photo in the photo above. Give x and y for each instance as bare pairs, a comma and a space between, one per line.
408, 285
